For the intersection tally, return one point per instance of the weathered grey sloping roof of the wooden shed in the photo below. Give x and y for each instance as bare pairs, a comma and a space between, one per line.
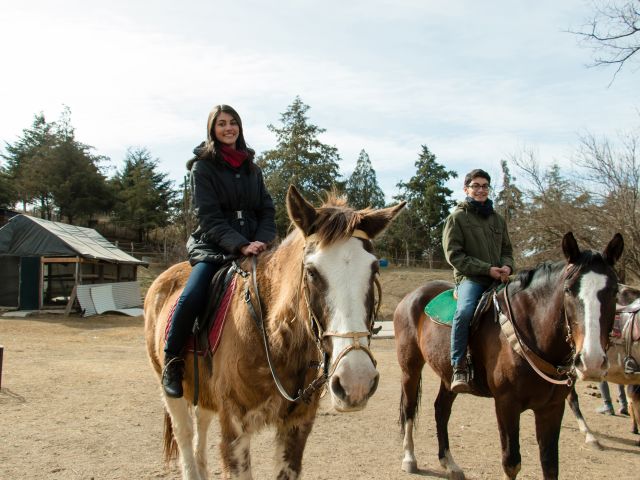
25, 235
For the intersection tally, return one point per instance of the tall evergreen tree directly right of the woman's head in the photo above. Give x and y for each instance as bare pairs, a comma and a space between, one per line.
300, 159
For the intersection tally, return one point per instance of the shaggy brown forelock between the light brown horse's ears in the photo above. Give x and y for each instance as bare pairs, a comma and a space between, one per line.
336, 221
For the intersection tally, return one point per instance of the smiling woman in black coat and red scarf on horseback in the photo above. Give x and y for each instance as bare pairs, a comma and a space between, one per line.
235, 217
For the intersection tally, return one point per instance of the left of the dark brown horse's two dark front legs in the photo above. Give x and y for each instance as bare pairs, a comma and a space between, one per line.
508, 415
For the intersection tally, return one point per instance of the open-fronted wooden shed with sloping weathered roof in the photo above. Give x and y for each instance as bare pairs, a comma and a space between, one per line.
42, 263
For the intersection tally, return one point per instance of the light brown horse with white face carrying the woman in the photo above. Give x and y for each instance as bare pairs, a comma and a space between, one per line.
317, 295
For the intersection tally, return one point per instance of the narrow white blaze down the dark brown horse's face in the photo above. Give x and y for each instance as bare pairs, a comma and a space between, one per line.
592, 353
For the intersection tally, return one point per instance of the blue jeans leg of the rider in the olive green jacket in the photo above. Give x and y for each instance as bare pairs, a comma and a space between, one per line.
469, 294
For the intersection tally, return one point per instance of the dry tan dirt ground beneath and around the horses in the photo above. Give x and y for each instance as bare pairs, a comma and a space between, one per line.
79, 400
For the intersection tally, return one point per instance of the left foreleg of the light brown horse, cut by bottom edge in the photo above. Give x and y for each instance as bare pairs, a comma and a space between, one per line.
235, 453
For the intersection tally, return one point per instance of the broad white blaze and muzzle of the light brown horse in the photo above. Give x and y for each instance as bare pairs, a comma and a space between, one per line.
347, 269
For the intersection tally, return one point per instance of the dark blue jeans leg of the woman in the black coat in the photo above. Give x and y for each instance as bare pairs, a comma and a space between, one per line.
190, 304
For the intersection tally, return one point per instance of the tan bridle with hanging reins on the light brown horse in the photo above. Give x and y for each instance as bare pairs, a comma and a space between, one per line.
319, 333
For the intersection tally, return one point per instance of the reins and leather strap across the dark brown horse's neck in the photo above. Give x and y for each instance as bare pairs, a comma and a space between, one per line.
543, 368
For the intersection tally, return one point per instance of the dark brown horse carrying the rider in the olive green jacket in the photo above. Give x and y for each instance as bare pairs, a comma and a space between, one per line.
562, 312
